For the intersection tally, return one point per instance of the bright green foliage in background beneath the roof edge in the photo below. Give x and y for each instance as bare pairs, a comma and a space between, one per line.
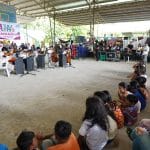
62, 31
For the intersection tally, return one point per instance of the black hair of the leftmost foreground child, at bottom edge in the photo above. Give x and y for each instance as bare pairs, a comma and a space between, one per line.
25, 140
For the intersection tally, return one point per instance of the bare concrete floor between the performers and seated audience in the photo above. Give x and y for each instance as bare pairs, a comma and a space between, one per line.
37, 102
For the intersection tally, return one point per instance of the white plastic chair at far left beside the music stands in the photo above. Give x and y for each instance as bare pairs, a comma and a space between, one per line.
4, 66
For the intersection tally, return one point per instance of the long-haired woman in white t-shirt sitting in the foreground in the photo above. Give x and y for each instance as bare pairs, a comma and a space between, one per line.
93, 133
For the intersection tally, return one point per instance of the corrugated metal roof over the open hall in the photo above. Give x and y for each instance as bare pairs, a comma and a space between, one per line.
80, 12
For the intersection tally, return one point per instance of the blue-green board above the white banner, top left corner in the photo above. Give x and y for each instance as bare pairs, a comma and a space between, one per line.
7, 13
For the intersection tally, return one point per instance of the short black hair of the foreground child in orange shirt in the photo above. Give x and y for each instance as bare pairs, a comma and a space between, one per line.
63, 129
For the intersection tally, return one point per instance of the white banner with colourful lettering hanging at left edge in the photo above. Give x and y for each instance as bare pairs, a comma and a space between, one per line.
10, 31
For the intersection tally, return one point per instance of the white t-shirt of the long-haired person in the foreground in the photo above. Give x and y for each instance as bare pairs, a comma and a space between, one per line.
96, 137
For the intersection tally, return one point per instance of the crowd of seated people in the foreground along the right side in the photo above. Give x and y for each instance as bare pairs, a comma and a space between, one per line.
102, 119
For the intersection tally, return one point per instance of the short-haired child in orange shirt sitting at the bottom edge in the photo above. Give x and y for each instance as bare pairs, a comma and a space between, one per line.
62, 139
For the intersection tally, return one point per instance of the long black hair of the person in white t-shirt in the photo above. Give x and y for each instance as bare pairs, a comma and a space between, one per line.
96, 112
